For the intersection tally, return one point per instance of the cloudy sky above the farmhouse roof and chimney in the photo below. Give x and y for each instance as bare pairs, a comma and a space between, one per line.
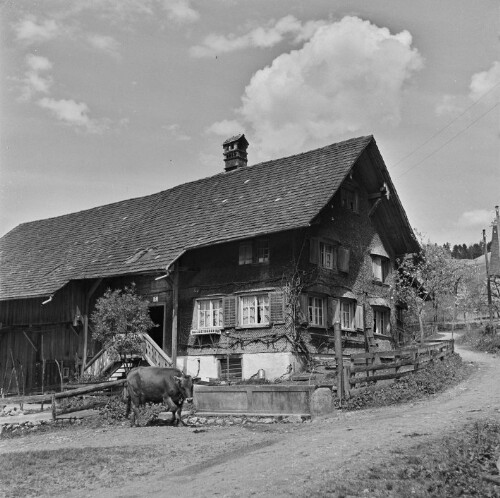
105, 100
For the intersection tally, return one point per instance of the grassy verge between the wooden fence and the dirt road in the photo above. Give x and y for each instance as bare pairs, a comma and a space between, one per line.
437, 377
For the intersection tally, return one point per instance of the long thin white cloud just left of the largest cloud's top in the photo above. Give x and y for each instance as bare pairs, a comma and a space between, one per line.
262, 37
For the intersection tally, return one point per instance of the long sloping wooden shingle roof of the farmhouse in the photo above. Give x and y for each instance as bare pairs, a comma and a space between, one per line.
150, 233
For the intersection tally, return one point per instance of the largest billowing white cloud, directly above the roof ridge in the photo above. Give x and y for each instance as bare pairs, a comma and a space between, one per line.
346, 79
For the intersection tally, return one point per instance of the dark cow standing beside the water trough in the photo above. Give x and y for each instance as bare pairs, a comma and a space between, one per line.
156, 385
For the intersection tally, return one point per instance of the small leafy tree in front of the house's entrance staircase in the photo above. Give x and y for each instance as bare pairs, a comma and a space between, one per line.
119, 319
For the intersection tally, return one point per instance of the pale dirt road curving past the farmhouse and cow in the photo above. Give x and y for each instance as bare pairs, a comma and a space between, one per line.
277, 460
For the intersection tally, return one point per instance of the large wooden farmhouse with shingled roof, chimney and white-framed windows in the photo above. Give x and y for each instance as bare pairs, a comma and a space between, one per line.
245, 271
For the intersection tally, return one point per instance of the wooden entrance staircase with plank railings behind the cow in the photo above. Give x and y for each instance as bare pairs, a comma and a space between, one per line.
102, 363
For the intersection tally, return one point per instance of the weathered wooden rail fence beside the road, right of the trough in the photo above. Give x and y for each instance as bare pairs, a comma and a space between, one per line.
368, 368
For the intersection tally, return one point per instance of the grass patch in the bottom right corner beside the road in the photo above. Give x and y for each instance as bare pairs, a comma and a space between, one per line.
454, 465
